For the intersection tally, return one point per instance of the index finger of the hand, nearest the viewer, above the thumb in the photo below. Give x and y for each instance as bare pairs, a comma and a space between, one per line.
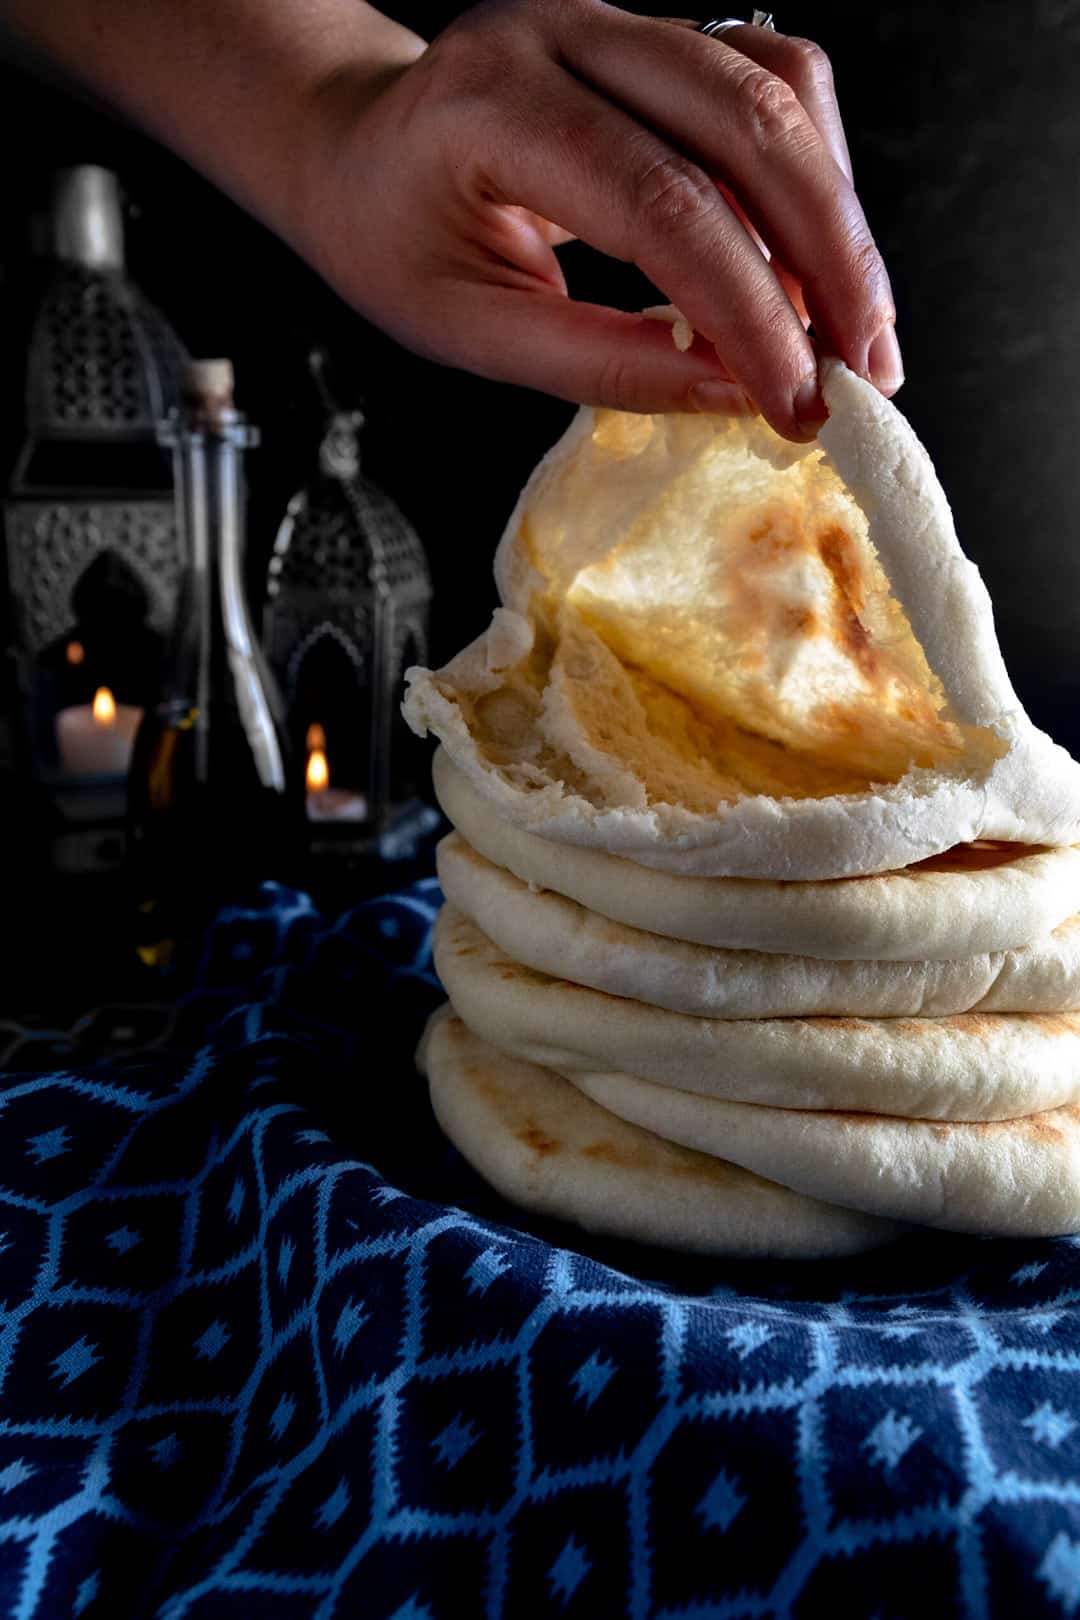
610, 181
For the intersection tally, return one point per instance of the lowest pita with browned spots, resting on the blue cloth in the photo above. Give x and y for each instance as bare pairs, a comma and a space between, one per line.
545, 1146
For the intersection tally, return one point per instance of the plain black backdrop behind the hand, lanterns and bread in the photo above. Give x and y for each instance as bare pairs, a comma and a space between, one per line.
966, 137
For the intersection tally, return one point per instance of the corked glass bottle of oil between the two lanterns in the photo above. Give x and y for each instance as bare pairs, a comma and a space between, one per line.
215, 803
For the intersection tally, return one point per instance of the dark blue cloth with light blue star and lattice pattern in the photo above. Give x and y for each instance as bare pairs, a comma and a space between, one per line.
268, 1349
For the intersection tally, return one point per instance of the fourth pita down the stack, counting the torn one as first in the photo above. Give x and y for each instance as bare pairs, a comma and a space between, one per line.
971, 1067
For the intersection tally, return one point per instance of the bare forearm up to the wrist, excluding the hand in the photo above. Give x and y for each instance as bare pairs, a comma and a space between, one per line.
236, 87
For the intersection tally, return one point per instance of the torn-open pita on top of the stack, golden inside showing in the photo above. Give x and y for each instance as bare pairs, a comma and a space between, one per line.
721, 654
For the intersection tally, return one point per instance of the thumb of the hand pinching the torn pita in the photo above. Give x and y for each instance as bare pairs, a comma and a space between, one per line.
589, 354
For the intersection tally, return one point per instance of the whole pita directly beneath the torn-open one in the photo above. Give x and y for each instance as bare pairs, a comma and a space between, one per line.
969, 902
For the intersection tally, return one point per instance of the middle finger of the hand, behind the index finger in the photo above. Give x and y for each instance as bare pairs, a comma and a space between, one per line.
747, 127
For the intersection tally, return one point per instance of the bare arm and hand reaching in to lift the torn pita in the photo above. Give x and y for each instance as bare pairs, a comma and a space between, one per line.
432, 185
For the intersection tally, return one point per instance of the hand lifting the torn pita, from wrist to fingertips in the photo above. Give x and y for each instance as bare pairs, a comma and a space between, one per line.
435, 200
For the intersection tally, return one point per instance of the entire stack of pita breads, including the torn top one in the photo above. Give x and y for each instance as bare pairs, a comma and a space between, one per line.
762, 906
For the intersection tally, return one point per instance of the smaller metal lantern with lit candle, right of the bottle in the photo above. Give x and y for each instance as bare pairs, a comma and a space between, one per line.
347, 612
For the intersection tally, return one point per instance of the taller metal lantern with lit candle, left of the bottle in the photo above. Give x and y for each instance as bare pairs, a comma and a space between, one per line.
90, 526
